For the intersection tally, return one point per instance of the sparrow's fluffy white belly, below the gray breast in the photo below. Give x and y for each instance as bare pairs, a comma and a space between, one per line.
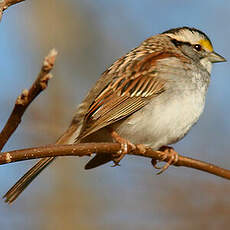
163, 122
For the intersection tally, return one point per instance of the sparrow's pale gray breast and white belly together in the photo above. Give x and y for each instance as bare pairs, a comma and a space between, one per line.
169, 116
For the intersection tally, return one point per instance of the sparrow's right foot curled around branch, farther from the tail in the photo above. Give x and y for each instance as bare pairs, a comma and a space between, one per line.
165, 152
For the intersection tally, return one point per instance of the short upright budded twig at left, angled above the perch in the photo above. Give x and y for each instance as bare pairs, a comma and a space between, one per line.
27, 96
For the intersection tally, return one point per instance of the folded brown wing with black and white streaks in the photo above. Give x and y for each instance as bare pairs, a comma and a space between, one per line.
125, 94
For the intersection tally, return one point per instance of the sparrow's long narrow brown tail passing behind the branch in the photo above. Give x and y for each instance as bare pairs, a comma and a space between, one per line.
67, 138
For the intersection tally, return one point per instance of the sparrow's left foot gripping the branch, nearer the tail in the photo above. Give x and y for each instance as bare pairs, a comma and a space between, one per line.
125, 147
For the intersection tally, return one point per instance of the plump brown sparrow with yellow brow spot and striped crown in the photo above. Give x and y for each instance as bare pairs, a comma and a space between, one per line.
152, 95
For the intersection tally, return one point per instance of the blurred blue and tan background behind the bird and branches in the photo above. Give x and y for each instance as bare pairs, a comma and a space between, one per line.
91, 35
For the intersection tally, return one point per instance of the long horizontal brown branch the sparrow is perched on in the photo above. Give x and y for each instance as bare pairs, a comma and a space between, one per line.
86, 149
